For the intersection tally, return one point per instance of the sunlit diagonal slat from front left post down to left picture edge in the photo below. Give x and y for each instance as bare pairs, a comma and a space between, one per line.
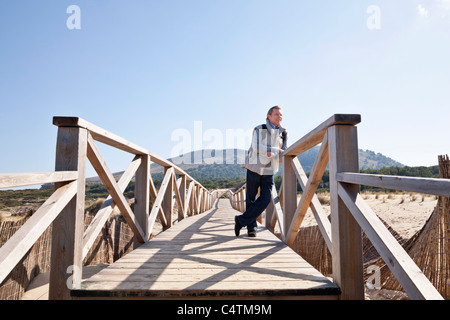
23, 239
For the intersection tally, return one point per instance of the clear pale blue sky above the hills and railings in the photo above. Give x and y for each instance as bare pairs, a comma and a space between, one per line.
143, 69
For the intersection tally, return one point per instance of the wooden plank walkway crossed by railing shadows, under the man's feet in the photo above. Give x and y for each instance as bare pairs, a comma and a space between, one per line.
200, 257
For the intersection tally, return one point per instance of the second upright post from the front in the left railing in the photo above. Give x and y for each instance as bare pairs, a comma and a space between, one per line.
142, 197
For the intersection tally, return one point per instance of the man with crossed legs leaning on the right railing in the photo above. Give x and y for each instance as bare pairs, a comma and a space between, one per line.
269, 140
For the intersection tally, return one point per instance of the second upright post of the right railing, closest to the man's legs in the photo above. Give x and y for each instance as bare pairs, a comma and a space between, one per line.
289, 191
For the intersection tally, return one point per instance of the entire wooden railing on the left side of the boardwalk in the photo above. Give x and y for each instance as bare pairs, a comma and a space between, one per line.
76, 143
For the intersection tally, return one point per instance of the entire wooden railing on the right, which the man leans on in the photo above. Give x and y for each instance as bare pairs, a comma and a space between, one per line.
349, 212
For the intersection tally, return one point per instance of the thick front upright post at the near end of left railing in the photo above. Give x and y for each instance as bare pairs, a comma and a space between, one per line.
68, 227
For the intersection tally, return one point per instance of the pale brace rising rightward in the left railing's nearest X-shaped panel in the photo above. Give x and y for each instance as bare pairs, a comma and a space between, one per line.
107, 208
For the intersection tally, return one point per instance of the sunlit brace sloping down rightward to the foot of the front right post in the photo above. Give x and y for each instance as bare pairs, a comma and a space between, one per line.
320, 215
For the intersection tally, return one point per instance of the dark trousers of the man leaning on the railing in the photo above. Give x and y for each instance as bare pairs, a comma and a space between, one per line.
254, 207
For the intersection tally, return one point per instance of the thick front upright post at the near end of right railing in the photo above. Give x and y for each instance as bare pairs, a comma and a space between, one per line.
345, 231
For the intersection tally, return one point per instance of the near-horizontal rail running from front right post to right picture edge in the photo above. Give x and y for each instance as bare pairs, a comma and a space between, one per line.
440, 187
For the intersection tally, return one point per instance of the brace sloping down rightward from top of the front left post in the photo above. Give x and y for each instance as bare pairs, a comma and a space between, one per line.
110, 184
